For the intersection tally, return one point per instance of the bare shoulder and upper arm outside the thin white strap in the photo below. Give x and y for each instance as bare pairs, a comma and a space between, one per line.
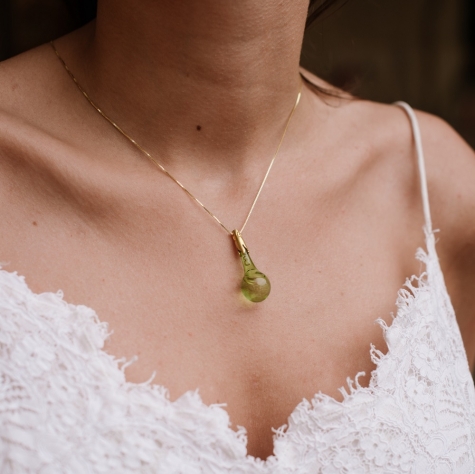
450, 164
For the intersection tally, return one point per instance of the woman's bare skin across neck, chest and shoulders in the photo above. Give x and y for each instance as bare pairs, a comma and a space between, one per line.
335, 230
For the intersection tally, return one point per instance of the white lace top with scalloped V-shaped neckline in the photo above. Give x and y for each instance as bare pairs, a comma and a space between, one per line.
65, 406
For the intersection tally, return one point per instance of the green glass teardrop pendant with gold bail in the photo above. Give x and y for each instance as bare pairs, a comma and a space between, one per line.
255, 286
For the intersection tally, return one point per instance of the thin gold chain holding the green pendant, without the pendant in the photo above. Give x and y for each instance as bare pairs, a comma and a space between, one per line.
161, 167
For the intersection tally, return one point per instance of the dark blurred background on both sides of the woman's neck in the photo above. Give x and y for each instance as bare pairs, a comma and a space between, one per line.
420, 51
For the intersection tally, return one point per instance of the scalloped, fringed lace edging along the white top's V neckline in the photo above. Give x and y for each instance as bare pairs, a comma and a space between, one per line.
404, 301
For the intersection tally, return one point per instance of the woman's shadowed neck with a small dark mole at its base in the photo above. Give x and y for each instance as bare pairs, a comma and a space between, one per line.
214, 76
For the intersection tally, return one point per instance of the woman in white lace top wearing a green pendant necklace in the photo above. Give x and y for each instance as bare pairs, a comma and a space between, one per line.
207, 88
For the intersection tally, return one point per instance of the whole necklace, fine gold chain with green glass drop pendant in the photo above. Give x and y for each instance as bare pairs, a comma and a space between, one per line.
255, 286
